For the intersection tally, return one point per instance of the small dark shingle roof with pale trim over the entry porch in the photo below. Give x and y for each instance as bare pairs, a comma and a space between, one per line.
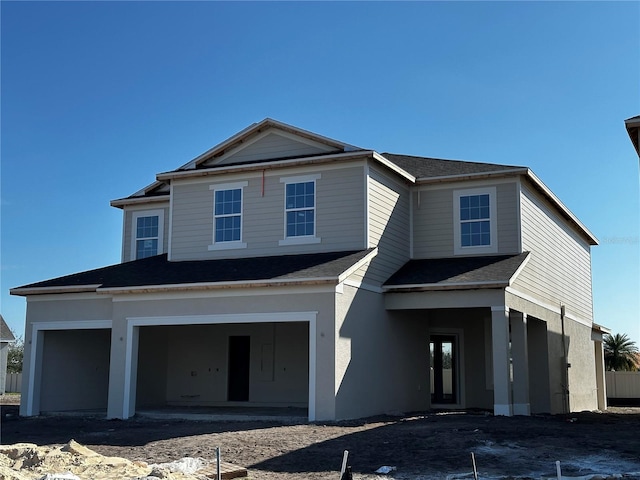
461, 273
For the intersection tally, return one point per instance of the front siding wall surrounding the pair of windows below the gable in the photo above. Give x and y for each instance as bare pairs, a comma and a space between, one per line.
339, 216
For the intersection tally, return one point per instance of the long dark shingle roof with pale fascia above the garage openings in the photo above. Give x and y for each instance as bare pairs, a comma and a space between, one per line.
158, 273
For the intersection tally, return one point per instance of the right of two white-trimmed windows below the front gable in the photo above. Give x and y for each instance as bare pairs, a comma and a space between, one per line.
300, 210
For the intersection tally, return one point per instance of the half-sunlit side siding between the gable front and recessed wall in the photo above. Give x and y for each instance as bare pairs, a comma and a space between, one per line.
388, 225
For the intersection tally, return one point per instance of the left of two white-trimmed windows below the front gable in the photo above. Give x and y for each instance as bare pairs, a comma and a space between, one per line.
227, 216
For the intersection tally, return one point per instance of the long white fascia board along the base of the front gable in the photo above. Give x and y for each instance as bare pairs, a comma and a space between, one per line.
264, 166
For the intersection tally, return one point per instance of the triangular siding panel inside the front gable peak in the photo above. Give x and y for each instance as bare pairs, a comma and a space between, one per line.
273, 146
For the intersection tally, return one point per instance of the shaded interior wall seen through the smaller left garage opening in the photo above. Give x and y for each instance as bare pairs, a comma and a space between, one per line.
75, 370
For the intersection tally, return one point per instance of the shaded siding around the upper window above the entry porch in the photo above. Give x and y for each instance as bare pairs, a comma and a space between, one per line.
433, 220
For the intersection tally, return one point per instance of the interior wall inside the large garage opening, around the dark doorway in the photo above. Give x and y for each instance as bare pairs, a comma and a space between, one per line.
191, 363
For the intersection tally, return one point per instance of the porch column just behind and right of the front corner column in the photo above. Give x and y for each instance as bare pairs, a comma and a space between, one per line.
520, 358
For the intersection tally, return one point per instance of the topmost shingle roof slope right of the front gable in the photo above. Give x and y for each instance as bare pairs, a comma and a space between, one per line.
424, 167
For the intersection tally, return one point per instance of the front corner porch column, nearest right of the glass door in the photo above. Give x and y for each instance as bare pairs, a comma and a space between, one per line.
501, 367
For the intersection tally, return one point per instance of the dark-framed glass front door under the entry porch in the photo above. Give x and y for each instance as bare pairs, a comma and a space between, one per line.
444, 378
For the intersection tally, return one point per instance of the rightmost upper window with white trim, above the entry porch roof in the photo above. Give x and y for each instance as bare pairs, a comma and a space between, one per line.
475, 224
